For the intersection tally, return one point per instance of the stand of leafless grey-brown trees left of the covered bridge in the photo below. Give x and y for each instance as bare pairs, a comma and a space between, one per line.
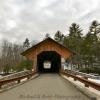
10, 56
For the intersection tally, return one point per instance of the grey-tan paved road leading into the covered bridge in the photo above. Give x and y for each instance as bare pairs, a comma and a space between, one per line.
45, 87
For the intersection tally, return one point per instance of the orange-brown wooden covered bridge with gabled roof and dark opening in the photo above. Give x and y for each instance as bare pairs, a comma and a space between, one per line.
47, 50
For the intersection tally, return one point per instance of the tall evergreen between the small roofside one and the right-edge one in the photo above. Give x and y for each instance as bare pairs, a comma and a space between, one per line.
75, 37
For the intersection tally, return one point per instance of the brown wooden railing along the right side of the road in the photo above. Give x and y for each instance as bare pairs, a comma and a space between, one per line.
84, 80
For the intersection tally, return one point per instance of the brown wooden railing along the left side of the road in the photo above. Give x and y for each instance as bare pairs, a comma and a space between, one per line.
17, 77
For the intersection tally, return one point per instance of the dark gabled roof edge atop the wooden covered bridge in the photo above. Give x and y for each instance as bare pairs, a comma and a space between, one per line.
36, 45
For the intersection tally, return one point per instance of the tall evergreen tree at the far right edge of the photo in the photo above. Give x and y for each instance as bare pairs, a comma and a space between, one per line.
91, 43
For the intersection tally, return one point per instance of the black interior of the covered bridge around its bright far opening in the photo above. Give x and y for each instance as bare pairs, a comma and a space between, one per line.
51, 56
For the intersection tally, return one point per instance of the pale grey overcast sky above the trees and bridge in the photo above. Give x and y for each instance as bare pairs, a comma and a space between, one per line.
34, 18
